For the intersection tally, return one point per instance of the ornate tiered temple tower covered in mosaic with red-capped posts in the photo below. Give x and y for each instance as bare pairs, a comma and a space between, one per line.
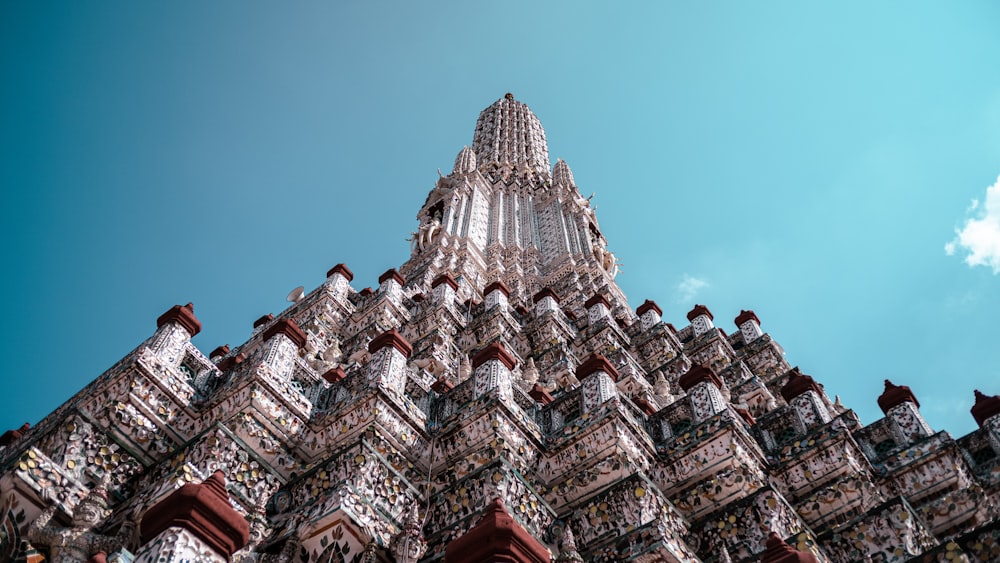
494, 399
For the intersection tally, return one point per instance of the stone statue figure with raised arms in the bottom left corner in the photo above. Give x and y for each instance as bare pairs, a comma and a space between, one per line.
79, 541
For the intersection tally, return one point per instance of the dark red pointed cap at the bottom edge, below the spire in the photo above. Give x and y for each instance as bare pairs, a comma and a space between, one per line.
497, 537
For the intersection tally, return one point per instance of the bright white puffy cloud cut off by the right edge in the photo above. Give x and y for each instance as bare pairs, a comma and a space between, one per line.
980, 236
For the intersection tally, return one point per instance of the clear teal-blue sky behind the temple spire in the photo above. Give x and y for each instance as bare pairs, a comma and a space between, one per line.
815, 163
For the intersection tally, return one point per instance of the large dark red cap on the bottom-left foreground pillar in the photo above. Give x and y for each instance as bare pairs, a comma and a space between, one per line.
204, 510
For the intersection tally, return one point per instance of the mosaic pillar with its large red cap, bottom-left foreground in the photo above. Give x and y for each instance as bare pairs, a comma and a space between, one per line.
194, 523
